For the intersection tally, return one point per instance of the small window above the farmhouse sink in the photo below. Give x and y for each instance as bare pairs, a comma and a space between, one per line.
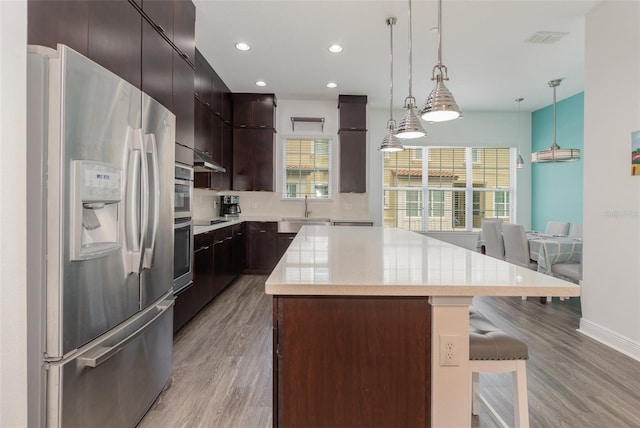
307, 168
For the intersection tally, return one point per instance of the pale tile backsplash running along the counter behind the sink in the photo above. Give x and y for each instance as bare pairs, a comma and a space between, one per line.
271, 204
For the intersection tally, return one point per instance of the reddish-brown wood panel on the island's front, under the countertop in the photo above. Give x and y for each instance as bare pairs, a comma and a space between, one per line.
351, 361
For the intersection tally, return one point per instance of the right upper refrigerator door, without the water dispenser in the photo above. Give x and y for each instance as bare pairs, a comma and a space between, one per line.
158, 130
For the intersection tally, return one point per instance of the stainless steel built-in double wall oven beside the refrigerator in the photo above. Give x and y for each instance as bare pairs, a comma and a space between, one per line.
183, 228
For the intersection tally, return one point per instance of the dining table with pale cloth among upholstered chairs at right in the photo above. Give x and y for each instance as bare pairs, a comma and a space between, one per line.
548, 250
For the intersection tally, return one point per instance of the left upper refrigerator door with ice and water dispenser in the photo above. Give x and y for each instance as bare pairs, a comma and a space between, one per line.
99, 114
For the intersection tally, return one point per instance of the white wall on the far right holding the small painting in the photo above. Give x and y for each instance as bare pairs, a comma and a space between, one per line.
611, 286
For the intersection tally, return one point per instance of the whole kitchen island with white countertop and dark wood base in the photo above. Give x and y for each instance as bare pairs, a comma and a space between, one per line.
361, 316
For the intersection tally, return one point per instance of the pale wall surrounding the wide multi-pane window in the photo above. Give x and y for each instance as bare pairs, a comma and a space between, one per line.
476, 129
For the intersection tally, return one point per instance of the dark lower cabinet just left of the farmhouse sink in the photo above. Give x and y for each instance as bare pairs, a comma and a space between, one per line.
261, 247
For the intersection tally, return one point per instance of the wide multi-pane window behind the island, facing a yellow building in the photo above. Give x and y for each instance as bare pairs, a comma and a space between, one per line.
461, 186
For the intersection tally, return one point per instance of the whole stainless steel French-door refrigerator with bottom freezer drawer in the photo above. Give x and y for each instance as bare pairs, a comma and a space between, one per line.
100, 243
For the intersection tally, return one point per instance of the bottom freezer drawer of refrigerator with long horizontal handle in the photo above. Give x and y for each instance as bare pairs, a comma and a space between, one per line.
113, 381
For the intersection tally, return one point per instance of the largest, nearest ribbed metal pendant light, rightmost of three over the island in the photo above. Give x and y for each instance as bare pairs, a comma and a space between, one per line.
440, 105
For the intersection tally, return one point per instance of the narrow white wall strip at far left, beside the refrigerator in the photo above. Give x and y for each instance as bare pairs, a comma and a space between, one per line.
13, 290
